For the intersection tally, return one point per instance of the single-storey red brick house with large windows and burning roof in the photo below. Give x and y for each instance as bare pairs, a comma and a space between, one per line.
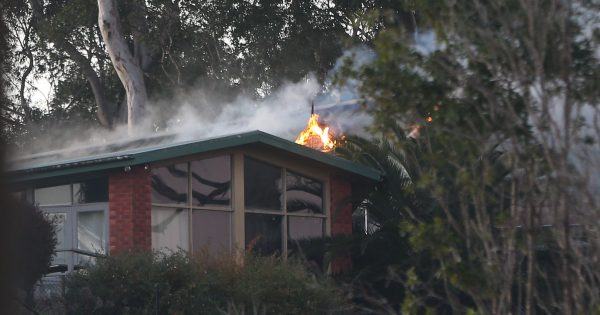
249, 190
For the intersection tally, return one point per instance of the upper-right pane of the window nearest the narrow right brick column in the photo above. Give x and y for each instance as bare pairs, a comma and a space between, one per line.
304, 195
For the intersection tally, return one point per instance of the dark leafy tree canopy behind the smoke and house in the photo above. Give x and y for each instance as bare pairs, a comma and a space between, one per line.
229, 48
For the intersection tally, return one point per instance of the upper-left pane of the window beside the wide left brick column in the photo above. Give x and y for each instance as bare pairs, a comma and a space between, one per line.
169, 184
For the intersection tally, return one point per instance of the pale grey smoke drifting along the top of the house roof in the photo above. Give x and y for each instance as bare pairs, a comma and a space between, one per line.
200, 112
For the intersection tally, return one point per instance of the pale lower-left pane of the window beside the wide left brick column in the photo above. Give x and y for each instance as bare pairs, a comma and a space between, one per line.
170, 228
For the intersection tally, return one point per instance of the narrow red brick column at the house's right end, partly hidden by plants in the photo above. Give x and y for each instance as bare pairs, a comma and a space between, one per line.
341, 217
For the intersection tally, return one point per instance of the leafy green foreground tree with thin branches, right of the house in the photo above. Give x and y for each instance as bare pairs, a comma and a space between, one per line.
513, 79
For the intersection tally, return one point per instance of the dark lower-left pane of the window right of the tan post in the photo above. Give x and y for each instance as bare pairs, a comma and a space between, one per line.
263, 233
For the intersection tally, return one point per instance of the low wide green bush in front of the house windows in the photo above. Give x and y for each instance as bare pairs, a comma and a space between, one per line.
141, 283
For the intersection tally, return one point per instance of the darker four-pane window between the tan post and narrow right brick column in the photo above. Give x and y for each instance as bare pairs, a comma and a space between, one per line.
279, 213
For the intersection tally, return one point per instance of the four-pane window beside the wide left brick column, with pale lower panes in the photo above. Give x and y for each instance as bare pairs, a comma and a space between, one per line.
191, 205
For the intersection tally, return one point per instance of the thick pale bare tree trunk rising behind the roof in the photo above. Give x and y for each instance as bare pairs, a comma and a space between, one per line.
127, 66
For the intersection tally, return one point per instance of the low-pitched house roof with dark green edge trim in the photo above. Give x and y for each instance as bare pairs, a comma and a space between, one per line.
143, 151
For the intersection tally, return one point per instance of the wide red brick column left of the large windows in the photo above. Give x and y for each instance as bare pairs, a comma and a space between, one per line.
129, 197
